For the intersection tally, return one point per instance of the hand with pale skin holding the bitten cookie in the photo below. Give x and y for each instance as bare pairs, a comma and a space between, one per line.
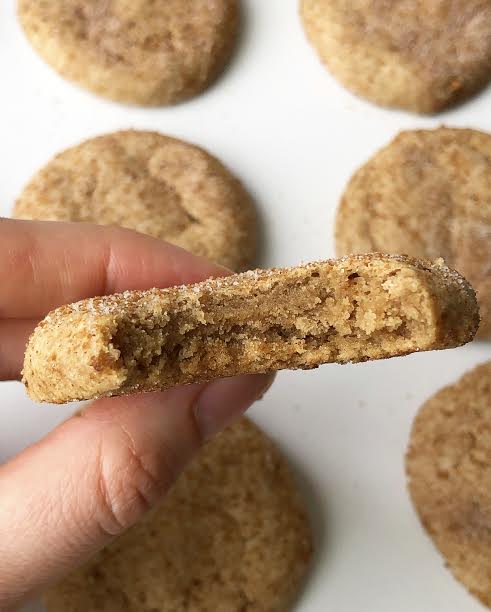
67, 496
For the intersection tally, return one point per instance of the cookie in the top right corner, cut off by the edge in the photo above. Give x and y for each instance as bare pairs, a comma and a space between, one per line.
420, 55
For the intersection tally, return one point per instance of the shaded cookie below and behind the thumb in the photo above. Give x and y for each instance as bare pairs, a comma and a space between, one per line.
231, 535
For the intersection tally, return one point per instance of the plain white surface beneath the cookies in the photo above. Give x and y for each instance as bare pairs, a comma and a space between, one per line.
294, 136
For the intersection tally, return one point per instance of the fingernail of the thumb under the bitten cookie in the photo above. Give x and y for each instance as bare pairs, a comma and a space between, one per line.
225, 400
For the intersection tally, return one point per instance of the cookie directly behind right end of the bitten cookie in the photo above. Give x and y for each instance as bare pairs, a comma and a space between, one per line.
428, 194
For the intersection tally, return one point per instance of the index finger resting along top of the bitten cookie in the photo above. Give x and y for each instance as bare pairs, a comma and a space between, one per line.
45, 264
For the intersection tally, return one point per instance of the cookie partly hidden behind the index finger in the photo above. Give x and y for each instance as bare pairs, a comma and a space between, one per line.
150, 183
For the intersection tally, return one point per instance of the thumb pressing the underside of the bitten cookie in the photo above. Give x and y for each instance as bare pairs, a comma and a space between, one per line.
64, 498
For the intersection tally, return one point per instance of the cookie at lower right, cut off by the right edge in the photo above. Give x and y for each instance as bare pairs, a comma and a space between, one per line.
449, 470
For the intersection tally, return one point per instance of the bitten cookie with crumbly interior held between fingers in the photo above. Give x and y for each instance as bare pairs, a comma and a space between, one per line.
353, 309
